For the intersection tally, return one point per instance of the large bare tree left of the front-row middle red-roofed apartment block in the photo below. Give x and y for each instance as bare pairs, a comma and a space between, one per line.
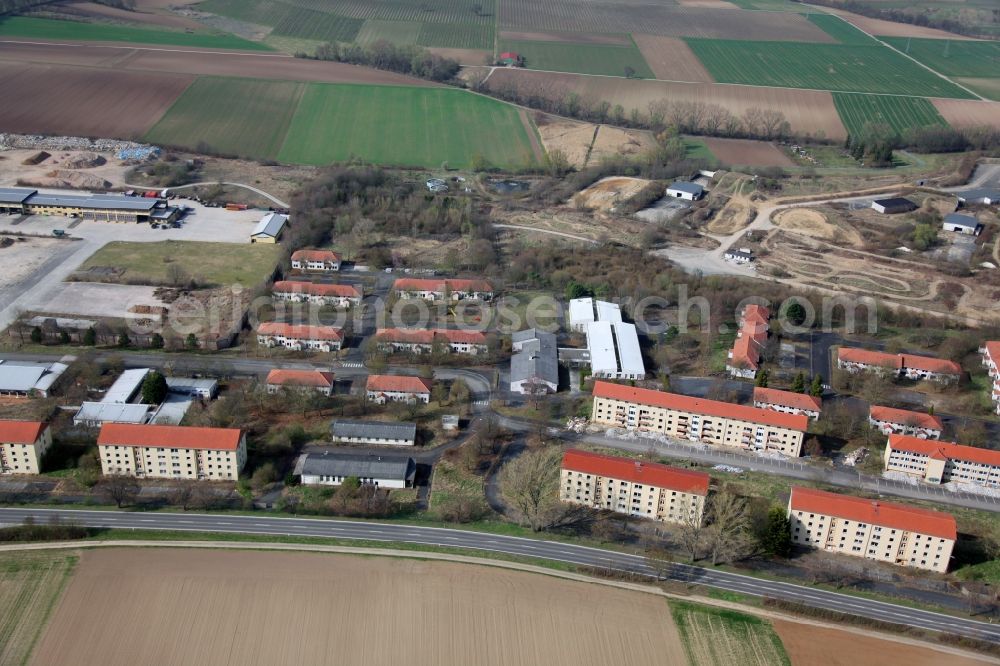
530, 485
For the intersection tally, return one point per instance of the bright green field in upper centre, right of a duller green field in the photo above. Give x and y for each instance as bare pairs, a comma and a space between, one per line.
404, 126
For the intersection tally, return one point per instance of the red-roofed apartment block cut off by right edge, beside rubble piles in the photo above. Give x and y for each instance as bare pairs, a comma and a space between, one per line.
941, 462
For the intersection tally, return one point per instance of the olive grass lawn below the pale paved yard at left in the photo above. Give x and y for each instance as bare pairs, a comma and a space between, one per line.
214, 264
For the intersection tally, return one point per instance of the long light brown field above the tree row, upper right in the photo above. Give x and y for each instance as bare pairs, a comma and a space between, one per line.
809, 111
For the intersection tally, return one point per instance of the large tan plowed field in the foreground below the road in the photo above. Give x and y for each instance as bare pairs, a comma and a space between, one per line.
171, 606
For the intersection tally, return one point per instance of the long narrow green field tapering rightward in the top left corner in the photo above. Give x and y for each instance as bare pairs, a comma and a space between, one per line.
38, 28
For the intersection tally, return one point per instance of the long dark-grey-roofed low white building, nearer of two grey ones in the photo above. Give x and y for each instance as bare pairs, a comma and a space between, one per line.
331, 469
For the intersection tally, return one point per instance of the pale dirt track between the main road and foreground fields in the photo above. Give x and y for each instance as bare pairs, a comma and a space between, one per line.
490, 562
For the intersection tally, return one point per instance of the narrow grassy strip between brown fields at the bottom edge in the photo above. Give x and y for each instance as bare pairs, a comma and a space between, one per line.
720, 636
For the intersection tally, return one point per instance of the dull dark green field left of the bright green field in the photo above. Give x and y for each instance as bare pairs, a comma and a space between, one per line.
230, 116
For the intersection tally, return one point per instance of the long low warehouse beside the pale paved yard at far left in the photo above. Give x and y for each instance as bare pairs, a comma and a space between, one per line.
97, 207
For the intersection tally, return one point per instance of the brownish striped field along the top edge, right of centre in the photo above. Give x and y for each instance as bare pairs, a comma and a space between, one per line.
658, 19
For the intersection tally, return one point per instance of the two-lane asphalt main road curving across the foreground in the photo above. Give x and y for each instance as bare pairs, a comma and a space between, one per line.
497, 543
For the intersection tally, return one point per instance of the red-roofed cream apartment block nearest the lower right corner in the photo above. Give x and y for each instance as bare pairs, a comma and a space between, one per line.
872, 529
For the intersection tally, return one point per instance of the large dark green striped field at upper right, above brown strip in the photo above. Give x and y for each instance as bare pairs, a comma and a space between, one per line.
836, 67
